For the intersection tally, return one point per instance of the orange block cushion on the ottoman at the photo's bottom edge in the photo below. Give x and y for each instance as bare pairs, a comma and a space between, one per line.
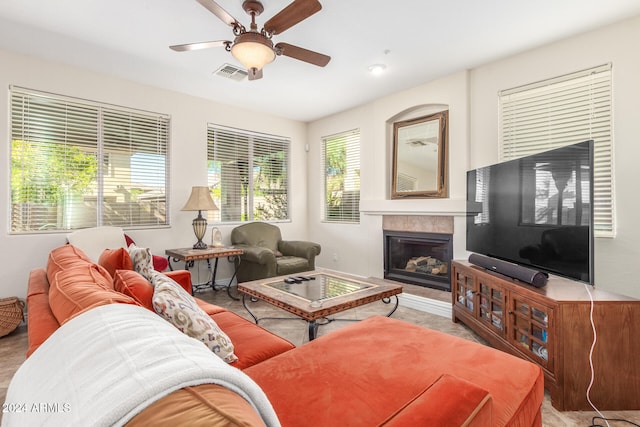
449, 401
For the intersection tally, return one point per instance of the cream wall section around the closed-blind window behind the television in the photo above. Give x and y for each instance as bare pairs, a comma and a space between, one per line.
617, 266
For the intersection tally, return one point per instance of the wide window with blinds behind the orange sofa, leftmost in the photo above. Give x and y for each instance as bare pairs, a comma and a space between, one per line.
77, 164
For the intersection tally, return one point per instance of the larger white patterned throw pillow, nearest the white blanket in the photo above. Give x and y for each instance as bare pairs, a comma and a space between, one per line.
178, 307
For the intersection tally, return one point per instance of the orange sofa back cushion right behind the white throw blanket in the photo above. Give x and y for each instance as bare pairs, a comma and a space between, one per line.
80, 288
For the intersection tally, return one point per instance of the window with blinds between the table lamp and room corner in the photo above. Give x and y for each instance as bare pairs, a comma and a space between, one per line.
248, 175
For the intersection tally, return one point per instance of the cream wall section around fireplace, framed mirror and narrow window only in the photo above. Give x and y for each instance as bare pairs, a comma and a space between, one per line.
357, 248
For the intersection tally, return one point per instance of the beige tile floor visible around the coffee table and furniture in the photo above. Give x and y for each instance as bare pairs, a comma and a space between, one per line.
14, 345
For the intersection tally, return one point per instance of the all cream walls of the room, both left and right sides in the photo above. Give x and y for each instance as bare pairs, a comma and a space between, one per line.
473, 113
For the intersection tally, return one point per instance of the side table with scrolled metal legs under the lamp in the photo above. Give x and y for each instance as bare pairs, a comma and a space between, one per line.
189, 256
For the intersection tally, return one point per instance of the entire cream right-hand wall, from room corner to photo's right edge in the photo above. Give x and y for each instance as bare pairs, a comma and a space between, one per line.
473, 104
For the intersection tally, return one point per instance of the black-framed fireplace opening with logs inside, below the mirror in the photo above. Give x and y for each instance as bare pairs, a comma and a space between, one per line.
418, 258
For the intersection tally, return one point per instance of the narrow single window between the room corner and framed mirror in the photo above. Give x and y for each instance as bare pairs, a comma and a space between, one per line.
341, 162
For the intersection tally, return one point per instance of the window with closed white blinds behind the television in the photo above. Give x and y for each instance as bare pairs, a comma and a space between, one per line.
562, 111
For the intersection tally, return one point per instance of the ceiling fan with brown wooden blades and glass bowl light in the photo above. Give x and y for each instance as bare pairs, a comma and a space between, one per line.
253, 48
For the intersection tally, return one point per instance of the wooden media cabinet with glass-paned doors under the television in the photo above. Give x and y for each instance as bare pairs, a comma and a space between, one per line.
551, 327
